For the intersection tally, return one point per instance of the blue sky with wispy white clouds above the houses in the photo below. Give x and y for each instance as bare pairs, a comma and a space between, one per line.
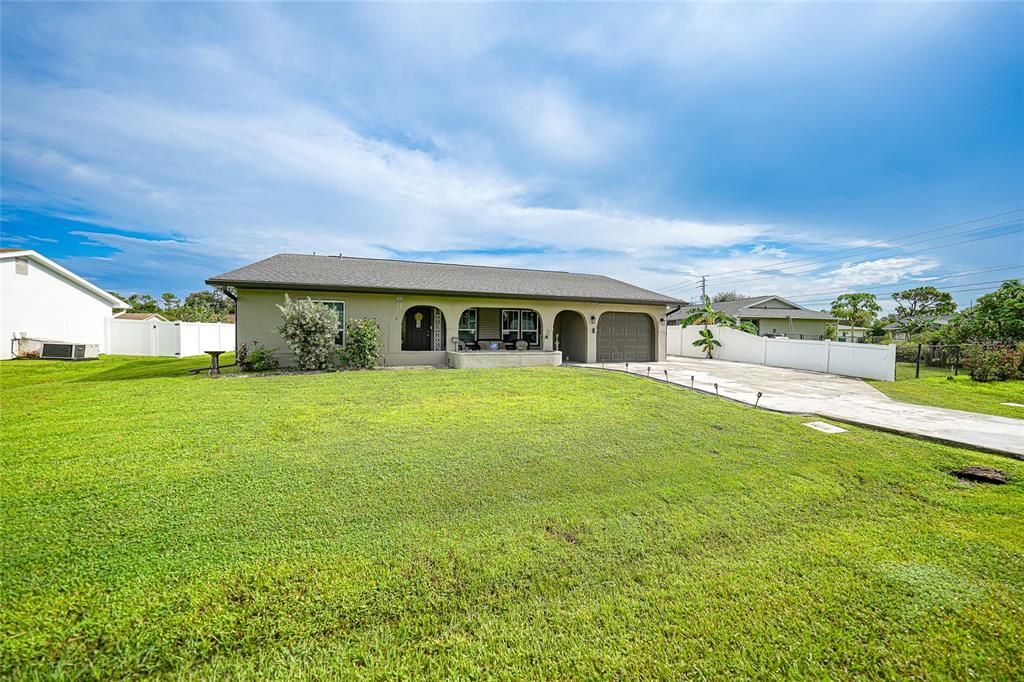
149, 147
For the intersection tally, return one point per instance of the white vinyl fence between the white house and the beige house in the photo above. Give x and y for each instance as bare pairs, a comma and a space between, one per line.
169, 339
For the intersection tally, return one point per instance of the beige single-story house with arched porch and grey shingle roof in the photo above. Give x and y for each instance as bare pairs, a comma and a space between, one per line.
450, 316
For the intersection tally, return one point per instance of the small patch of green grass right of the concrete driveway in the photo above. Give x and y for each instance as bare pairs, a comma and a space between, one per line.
936, 389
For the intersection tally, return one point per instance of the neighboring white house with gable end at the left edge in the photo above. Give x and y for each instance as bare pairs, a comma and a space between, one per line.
42, 301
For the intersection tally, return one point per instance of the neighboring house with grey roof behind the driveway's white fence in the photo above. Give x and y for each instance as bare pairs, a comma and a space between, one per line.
774, 316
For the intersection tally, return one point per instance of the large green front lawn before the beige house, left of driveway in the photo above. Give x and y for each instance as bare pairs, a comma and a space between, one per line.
557, 524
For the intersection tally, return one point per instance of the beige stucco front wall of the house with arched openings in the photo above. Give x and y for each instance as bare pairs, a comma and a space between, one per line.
258, 315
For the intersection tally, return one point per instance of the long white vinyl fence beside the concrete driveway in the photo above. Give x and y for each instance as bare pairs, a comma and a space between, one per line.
852, 360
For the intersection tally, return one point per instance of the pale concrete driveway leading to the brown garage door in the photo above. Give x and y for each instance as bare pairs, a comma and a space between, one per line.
842, 399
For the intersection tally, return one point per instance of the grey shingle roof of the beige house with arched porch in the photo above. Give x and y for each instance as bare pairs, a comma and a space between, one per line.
374, 275
